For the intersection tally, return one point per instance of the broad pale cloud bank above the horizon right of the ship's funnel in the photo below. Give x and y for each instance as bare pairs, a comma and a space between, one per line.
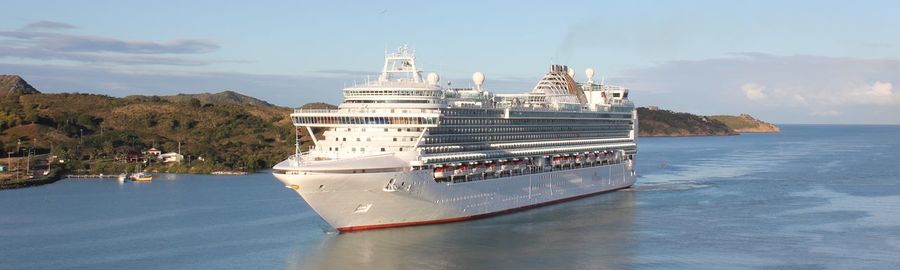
795, 88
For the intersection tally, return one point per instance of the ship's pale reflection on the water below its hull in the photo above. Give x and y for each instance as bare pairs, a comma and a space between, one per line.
594, 232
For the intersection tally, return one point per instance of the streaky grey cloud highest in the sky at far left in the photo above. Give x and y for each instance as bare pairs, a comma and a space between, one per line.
34, 42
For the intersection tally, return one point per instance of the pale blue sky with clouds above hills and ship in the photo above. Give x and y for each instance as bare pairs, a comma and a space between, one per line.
815, 62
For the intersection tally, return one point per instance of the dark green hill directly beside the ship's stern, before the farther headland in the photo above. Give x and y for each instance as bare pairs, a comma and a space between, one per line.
655, 122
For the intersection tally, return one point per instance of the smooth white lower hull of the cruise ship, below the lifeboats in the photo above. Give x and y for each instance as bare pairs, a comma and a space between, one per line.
360, 201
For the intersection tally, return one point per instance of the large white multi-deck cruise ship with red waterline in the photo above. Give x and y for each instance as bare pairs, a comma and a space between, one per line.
403, 150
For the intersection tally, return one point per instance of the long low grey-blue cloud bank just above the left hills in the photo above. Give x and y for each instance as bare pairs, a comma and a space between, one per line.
284, 90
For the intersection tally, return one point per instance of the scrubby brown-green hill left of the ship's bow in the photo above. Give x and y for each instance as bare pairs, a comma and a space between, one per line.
228, 130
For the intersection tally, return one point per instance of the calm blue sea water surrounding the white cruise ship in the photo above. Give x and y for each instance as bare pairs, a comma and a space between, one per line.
811, 197
